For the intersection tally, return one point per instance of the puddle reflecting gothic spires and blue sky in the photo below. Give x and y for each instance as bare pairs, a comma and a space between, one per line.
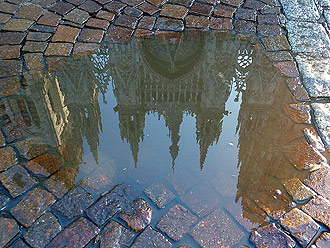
201, 115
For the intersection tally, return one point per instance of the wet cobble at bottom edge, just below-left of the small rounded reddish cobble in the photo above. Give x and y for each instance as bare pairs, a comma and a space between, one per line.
115, 235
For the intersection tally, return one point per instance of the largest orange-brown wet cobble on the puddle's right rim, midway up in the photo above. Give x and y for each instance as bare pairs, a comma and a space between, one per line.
302, 155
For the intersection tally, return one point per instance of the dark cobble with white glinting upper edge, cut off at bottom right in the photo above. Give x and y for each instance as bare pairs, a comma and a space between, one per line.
272, 237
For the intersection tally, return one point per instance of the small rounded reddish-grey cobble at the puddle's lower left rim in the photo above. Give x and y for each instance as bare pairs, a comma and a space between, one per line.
137, 215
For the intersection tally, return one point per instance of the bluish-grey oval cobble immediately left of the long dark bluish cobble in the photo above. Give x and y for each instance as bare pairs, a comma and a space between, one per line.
74, 202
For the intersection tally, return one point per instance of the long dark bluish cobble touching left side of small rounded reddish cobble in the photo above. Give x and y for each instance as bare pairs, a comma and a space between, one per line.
108, 205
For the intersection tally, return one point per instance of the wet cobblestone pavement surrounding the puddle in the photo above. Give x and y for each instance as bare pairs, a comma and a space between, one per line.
41, 33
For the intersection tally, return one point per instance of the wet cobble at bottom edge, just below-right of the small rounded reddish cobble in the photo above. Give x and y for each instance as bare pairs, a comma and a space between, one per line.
151, 238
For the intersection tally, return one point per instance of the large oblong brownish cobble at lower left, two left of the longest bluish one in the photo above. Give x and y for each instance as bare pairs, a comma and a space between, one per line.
32, 206
